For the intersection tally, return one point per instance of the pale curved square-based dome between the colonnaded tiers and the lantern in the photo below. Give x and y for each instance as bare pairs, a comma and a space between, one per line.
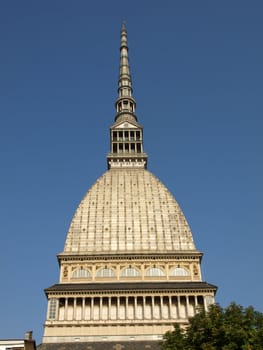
128, 211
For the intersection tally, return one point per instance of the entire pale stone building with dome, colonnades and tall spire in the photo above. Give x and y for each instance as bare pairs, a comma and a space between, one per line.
130, 269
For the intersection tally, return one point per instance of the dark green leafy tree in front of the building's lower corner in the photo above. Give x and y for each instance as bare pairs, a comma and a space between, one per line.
232, 328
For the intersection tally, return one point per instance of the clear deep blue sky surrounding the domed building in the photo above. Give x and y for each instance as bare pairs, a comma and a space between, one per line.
197, 69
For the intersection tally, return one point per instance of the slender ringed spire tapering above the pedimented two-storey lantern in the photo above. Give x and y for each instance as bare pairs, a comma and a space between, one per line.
125, 102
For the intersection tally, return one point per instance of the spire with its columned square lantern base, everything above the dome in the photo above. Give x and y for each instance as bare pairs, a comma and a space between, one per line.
126, 133
